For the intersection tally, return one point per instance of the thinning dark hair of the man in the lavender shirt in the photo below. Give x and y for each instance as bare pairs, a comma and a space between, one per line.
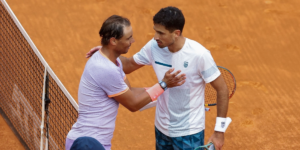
113, 27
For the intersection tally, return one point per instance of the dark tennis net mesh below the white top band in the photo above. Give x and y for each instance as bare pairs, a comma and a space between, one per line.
21, 90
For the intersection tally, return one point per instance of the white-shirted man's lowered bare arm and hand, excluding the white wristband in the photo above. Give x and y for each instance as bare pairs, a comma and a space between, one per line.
222, 107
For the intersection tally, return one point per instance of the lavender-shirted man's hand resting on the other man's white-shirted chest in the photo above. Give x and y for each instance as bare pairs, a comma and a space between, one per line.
174, 79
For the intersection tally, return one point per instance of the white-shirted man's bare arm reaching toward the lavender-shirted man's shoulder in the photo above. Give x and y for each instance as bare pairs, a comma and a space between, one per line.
129, 65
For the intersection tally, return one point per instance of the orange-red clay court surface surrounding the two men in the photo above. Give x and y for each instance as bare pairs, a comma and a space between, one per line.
257, 40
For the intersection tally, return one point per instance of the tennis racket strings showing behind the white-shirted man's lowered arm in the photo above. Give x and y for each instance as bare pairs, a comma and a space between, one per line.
211, 93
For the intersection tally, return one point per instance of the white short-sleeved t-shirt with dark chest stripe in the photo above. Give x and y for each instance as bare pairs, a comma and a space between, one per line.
180, 110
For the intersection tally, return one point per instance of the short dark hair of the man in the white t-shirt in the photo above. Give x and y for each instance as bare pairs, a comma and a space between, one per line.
170, 17
